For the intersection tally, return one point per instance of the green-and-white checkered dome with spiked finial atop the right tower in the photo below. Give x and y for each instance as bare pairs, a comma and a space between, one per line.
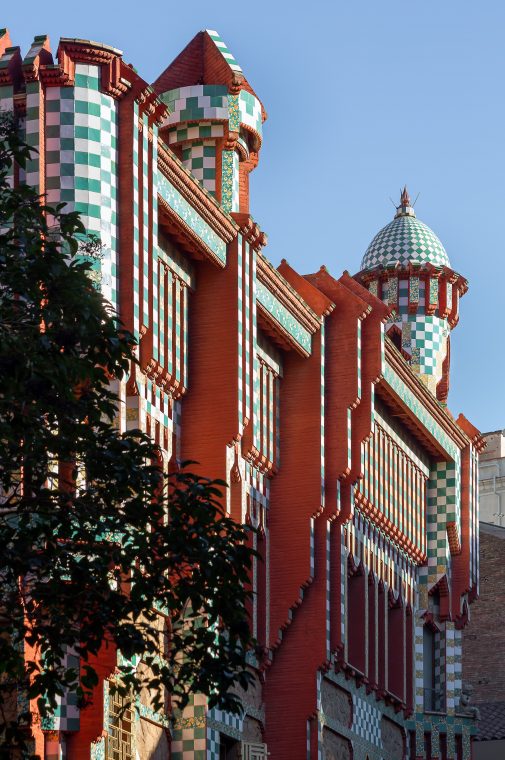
404, 240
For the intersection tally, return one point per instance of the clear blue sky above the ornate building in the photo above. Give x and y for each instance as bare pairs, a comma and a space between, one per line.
362, 97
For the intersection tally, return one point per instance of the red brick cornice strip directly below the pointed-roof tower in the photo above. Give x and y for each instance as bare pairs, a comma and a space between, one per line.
192, 191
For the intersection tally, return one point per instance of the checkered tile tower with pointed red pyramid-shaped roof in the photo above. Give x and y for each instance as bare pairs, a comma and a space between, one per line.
215, 119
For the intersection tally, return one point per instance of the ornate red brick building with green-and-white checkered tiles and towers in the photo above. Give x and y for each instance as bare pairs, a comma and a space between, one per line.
320, 399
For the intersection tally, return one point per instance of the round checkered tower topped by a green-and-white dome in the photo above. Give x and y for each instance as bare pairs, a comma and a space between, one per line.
407, 266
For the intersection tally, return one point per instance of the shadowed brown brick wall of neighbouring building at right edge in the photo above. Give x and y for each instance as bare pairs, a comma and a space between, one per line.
484, 637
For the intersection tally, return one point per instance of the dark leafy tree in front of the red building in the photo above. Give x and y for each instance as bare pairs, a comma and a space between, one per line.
94, 534
